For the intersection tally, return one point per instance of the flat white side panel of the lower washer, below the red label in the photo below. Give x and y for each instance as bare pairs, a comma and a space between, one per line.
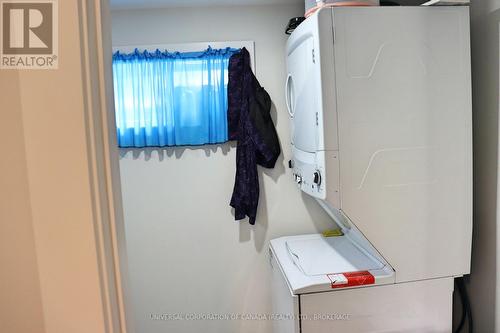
415, 307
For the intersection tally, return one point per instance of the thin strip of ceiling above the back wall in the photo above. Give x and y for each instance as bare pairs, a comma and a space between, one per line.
139, 4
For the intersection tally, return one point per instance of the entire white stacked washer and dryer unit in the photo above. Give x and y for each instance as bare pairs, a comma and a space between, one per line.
380, 106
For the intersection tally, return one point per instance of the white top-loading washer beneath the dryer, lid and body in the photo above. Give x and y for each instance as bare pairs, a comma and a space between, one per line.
304, 300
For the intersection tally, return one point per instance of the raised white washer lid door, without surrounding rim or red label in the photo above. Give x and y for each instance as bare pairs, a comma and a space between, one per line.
325, 255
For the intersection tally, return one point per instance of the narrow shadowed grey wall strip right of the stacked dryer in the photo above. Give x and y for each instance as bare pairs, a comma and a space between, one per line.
484, 280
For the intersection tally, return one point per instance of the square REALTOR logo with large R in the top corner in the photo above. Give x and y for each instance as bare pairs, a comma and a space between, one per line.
29, 34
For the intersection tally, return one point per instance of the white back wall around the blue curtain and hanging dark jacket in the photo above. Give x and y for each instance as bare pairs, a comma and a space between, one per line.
186, 252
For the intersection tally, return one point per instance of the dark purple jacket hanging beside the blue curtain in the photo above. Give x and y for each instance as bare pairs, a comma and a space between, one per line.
250, 123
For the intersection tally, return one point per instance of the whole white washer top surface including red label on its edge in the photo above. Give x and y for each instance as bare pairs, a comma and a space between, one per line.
313, 263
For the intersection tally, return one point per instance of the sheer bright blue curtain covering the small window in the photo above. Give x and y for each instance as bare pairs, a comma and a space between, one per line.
171, 99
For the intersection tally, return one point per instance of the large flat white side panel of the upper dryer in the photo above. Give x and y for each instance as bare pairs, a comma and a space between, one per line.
404, 105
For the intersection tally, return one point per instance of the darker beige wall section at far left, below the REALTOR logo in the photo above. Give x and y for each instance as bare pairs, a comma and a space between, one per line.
20, 297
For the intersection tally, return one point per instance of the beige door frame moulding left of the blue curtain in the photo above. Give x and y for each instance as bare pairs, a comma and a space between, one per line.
96, 49
